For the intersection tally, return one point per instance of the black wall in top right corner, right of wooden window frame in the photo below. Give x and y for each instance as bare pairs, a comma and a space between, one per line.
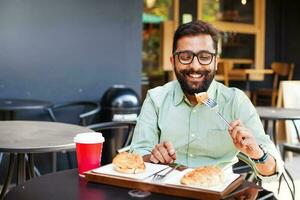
282, 33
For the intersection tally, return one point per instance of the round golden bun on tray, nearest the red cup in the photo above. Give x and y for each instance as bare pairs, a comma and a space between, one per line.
129, 163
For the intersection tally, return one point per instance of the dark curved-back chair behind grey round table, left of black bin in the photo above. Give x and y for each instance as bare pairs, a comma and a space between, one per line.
75, 112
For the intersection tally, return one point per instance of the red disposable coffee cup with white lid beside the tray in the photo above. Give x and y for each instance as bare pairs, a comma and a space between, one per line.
88, 151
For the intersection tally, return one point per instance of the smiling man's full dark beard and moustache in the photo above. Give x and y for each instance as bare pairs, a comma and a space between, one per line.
194, 87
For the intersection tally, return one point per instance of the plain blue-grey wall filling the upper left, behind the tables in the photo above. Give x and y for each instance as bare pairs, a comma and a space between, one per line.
61, 50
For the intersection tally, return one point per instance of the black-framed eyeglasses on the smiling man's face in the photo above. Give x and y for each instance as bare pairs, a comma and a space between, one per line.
187, 57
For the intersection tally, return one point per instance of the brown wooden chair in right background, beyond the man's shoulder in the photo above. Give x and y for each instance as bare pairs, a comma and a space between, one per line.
281, 70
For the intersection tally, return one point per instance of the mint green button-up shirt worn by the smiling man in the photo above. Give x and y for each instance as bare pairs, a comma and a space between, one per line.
199, 136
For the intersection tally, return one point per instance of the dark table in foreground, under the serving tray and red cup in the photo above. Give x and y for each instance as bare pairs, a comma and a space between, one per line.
68, 185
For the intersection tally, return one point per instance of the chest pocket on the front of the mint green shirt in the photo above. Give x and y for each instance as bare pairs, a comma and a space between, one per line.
219, 142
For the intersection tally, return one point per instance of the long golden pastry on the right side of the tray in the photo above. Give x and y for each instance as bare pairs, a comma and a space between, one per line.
207, 176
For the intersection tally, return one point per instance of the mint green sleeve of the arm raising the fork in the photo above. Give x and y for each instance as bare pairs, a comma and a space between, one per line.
247, 113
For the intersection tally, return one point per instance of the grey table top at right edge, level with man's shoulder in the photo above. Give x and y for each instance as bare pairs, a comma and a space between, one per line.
274, 113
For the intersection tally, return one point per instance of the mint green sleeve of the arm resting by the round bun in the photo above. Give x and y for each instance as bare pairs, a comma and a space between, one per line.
146, 133
